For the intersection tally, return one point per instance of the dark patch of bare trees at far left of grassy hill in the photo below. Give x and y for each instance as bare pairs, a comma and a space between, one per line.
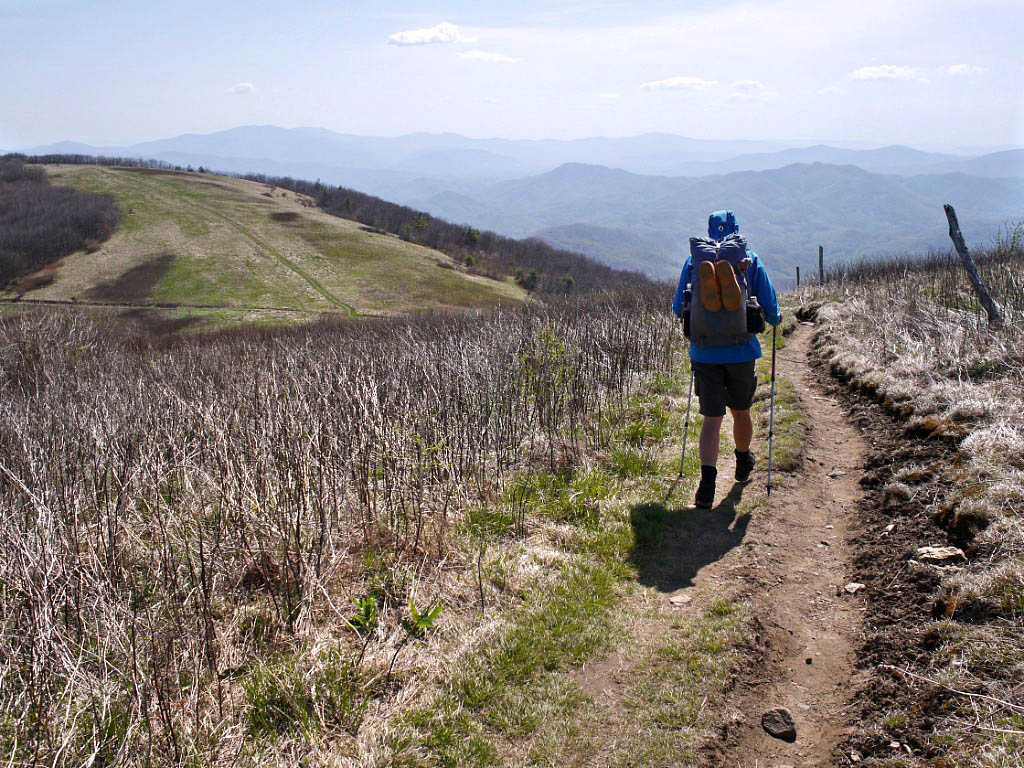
40, 224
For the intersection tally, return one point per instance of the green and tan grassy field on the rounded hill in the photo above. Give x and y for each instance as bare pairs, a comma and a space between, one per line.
223, 249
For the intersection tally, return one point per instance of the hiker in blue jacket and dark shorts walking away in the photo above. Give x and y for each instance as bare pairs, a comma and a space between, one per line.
723, 305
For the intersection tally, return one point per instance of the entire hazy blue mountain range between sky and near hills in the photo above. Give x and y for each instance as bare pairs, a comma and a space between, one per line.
632, 202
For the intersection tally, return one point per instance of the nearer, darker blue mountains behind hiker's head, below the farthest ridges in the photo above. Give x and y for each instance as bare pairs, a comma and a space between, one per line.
786, 212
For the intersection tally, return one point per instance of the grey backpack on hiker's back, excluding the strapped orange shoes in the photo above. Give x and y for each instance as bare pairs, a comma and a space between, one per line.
723, 328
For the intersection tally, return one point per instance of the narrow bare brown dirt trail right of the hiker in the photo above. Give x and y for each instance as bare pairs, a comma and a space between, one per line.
801, 559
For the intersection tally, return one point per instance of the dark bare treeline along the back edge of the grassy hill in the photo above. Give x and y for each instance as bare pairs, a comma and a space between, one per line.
535, 265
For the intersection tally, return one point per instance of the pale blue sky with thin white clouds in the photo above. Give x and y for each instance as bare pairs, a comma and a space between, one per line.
933, 74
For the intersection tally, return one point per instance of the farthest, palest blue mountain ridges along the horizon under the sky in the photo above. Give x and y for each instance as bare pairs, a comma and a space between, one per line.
339, 158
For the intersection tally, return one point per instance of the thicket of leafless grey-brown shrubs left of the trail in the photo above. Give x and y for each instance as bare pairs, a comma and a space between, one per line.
187, 522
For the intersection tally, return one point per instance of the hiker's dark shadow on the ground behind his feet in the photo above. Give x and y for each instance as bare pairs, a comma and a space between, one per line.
673, 544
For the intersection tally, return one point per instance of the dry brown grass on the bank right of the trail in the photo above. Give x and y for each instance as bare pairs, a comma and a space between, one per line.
914, 339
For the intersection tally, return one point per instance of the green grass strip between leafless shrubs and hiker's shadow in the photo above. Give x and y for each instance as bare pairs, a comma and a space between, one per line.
516, 687
